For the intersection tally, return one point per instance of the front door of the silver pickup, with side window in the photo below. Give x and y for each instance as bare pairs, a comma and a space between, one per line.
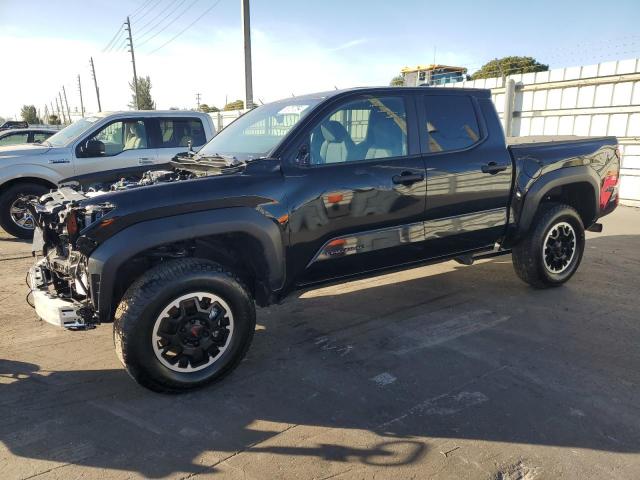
127, 151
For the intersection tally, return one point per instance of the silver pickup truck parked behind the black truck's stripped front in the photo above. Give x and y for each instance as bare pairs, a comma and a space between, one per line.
107, 145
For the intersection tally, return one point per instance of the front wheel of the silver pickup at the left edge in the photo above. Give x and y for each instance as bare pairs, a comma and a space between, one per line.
15, 219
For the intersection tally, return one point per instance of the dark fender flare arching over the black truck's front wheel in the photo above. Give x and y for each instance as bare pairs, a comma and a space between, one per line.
105, 261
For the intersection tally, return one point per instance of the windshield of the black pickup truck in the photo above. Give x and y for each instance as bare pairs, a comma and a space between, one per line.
259, 131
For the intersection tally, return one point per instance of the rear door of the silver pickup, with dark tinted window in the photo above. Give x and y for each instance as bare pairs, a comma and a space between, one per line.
176, 135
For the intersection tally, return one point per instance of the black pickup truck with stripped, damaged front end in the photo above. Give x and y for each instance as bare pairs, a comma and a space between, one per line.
300, 192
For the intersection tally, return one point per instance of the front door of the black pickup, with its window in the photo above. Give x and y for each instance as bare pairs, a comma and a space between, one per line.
358, 193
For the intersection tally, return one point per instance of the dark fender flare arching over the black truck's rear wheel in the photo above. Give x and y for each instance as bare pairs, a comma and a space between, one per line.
551, 180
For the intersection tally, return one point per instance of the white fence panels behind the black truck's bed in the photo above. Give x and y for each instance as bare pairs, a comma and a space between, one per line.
590, 100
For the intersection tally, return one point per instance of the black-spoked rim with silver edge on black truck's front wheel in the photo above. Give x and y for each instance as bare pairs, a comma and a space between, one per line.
192, 332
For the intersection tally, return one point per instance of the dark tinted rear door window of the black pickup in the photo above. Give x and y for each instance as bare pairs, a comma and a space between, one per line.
450, 123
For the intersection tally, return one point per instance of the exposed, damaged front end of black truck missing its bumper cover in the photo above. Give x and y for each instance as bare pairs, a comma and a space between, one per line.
59, 282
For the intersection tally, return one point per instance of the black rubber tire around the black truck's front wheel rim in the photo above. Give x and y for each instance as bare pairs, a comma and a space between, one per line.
145, 299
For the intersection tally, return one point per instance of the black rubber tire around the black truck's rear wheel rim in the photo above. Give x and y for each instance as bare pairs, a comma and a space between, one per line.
527, 255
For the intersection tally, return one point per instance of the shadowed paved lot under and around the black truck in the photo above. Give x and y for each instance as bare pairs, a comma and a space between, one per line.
444, 371
